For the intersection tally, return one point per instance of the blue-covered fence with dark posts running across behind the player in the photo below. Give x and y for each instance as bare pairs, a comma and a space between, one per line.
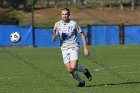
95, 34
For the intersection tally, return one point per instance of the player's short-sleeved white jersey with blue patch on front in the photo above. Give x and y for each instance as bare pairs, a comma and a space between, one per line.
68, 33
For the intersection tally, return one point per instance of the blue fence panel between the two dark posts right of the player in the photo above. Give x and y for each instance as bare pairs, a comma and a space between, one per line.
105, 35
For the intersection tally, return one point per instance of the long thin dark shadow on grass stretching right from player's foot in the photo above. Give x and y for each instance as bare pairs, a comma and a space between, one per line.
115, 84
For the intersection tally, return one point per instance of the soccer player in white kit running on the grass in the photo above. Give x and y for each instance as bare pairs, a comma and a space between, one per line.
67, 30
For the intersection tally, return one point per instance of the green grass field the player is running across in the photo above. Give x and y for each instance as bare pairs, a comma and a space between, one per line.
115, 69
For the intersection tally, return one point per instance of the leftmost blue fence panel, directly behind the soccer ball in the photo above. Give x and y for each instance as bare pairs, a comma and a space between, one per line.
25, 32
